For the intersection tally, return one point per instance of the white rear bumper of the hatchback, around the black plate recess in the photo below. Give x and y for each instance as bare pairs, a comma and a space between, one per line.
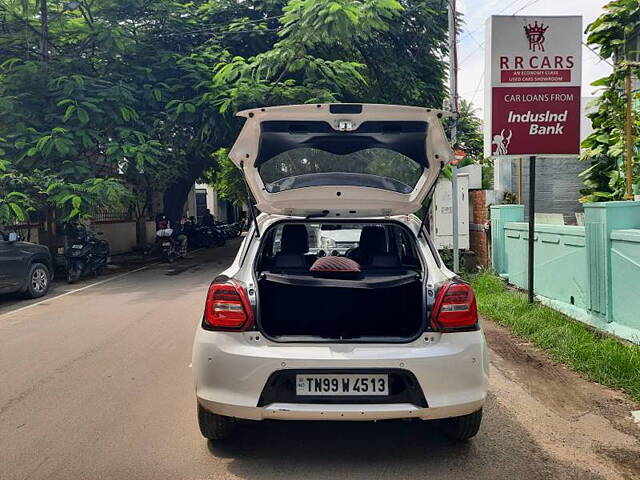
231, 370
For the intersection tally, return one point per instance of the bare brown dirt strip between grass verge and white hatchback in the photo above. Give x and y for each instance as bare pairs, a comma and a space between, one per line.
576, 420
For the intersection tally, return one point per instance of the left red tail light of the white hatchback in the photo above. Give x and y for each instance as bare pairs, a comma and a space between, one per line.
228, 307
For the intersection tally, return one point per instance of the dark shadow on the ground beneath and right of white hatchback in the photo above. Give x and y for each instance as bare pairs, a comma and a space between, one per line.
274, 450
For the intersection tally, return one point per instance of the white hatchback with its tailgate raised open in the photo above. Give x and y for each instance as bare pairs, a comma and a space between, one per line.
377, 328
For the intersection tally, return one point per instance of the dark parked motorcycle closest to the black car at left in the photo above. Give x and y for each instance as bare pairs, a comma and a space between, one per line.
86, 255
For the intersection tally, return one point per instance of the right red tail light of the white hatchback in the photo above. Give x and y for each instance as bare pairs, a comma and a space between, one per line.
455, 308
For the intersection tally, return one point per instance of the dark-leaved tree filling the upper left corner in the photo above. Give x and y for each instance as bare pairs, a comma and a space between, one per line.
109, 103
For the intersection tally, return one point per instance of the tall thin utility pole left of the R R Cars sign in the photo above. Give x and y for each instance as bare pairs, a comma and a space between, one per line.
453, 106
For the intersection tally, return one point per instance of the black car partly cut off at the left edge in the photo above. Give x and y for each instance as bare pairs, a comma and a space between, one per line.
24, 267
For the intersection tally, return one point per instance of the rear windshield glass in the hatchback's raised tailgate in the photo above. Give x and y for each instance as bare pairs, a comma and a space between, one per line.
371, 167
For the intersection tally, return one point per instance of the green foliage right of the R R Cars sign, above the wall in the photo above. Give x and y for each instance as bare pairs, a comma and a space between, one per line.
604, 149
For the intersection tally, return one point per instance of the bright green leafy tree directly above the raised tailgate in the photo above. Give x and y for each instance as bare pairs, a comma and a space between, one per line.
327, 51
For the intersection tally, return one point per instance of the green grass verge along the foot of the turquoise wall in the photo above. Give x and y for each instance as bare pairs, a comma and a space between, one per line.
600, 358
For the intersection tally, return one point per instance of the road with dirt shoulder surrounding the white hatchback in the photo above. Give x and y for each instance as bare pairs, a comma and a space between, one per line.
96, 384
